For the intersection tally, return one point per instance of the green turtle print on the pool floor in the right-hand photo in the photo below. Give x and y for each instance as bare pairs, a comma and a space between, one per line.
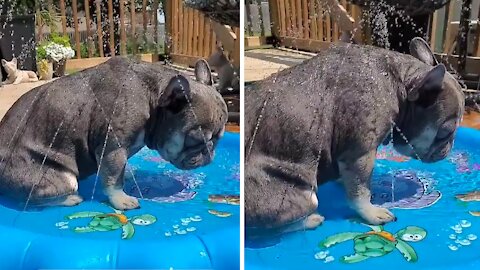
377, 243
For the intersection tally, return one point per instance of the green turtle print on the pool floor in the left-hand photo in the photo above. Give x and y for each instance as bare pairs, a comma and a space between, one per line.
102, 222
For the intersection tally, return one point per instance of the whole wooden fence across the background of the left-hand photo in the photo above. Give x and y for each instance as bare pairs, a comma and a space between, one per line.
124, 27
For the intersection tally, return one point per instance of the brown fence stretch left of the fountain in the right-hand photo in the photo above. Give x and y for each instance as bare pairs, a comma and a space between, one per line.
305, 24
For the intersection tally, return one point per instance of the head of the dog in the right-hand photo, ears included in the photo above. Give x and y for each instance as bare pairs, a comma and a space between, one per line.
435, 109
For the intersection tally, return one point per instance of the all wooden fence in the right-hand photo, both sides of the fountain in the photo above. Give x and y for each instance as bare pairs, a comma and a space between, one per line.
313, 25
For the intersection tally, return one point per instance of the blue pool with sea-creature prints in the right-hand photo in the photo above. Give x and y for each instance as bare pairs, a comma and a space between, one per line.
435, 228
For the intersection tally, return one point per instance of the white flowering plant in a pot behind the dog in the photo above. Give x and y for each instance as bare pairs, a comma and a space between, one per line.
57, 50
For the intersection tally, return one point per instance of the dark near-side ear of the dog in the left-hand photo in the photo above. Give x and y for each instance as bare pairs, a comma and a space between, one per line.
176, 94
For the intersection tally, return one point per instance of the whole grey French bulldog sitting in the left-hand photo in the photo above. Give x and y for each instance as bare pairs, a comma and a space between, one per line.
63, 131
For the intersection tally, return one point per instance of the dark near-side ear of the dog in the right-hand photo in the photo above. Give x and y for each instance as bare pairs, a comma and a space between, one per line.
425, 88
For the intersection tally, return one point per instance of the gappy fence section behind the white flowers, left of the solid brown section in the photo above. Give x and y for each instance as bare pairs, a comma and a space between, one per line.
102, 28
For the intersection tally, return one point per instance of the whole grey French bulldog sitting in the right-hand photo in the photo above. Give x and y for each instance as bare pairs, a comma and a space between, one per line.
323, 120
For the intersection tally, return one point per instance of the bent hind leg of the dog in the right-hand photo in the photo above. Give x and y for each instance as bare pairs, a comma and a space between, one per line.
272, 202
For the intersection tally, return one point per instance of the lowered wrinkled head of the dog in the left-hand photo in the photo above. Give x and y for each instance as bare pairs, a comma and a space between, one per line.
191, 124
